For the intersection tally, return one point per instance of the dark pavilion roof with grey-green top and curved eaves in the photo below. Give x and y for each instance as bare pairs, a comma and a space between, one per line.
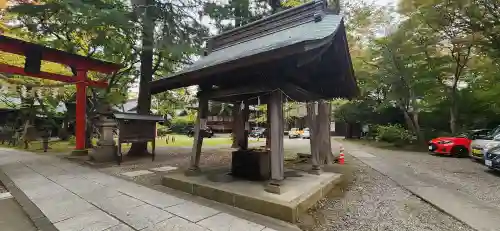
272, 52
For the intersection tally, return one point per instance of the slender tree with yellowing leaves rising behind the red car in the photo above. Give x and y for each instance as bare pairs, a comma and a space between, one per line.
444, 19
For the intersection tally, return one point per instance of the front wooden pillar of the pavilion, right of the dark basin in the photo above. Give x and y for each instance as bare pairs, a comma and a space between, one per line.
277, 151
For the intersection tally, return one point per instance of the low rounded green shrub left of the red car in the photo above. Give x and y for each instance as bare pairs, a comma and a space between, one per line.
394, 134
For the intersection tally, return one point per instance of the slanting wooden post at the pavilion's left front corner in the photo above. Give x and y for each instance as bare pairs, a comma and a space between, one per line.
201, 120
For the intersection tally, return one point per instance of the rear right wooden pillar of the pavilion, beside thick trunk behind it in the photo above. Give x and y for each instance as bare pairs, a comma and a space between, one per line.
313, 139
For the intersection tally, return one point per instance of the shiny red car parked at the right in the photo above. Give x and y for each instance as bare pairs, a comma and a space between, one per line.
454, 146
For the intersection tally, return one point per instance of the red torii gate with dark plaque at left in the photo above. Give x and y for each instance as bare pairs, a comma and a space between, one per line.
35, 53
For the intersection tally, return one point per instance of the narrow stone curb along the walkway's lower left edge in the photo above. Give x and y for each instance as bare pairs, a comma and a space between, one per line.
42, 223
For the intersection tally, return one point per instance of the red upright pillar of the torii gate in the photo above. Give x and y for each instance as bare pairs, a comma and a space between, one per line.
81, 105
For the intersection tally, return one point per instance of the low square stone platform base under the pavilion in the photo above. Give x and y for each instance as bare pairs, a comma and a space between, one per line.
297, 193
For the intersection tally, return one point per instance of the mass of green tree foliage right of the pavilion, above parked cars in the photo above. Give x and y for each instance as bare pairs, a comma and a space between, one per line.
432, 60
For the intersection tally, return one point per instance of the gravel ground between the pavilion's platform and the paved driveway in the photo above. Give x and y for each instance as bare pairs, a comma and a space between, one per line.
374, 202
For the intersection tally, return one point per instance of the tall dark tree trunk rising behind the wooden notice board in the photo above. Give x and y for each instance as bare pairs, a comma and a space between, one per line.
144, 100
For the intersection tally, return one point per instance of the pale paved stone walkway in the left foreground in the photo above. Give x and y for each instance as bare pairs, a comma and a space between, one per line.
73, 197
